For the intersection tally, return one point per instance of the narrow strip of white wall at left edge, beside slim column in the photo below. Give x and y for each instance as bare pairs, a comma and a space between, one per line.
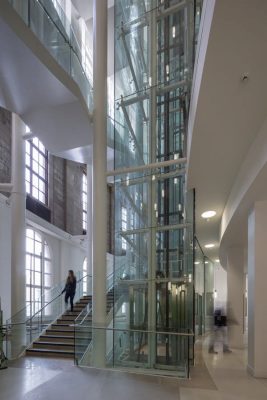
5, 257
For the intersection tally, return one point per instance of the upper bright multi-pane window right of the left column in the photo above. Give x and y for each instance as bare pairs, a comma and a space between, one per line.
36, 170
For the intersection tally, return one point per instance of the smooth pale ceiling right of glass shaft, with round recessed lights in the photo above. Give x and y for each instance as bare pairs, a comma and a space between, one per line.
229, 110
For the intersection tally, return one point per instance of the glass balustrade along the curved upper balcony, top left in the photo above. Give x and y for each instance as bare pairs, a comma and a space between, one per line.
51, 26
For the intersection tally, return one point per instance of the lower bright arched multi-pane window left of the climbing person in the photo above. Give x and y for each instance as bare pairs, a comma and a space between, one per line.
38, 271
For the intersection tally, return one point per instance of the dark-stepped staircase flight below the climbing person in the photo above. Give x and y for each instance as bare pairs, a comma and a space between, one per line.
58, 339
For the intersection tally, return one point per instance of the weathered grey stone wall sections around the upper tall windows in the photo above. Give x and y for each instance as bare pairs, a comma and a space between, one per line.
64, 187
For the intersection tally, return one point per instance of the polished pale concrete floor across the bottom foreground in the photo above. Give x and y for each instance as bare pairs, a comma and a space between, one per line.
214, 377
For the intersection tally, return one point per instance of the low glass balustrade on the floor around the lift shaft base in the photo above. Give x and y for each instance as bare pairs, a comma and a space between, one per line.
128, 348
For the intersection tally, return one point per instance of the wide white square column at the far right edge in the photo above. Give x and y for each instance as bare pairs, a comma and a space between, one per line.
257, 290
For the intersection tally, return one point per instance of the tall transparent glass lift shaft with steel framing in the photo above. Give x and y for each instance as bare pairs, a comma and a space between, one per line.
153, 313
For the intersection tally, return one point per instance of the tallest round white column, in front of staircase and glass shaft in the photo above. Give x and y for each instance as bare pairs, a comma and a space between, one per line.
99, 180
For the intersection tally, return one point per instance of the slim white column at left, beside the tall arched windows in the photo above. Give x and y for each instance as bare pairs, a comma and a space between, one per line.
18, 205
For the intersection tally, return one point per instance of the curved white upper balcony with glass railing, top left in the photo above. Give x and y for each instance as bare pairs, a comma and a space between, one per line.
46, 73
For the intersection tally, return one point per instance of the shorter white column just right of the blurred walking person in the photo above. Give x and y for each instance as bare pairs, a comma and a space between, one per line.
235, 296
